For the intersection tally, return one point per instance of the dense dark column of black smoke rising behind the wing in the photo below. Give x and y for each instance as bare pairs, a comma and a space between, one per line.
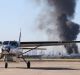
68, 30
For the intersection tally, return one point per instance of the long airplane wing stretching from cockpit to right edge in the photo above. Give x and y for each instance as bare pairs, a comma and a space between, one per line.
46, 43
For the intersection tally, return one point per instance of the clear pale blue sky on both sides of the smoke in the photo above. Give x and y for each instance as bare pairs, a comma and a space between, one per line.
16, 14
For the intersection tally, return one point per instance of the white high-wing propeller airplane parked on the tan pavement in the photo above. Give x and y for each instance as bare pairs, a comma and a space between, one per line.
14, 48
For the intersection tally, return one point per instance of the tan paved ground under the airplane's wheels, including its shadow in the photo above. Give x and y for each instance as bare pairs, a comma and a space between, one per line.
41, 68
